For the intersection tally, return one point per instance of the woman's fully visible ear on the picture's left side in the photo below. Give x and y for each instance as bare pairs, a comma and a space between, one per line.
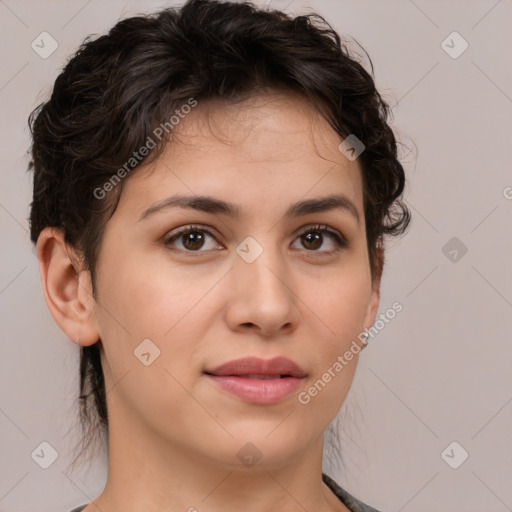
66, 287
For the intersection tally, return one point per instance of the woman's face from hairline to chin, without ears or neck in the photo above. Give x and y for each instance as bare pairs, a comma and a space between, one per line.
263, 283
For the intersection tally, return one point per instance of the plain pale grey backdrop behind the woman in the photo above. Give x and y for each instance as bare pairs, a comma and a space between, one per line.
438, 373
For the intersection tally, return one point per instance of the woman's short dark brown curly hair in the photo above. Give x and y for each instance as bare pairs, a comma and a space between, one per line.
117, 88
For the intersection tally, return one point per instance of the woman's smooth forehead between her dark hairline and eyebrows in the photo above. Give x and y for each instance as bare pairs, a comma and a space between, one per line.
273, 145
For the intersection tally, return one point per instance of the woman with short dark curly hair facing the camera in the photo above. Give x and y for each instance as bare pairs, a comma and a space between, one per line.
212, 190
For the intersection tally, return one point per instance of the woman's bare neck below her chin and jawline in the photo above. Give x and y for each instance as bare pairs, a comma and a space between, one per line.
146, 472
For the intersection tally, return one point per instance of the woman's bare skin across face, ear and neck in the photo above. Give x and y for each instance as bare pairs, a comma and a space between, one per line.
173, 434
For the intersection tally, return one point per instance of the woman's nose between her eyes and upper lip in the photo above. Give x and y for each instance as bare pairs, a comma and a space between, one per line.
261, 296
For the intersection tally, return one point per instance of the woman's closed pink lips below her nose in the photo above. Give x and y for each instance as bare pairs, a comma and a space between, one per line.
259, 381
